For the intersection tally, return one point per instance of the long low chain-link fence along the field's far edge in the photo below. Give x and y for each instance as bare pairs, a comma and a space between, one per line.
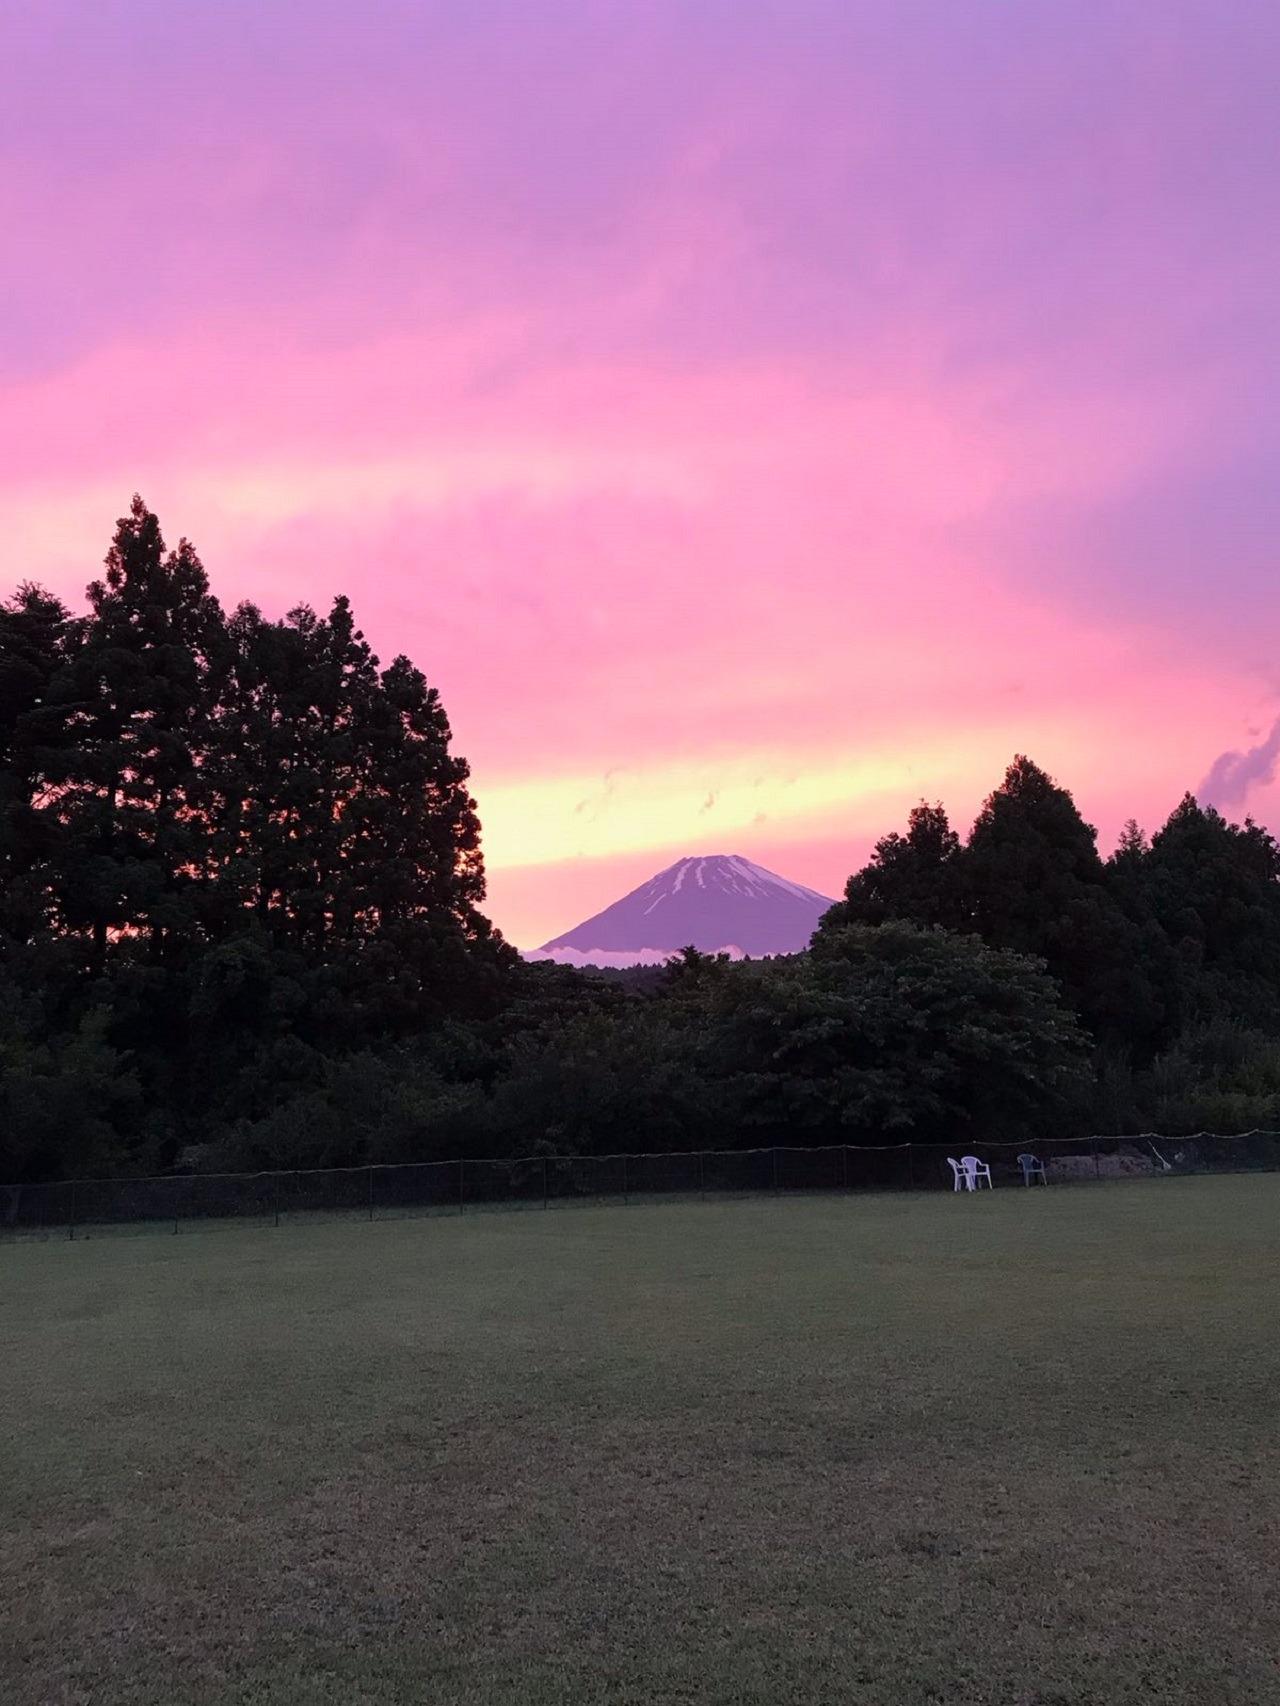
84, 1207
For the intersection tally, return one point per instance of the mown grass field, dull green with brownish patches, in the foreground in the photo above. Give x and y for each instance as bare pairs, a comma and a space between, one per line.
1020, 1451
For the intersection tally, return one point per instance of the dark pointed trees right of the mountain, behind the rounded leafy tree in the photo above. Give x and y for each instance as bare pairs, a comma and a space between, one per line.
1168, 953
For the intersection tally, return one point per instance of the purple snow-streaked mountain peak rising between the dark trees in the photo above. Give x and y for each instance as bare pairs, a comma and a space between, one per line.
719, 905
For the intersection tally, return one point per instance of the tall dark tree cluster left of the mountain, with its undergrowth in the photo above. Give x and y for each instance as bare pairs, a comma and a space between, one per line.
231, 850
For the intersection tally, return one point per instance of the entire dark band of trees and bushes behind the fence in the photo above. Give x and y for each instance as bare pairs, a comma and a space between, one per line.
241, 927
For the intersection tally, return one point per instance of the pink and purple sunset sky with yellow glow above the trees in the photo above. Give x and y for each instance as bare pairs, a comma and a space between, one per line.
753, 415
